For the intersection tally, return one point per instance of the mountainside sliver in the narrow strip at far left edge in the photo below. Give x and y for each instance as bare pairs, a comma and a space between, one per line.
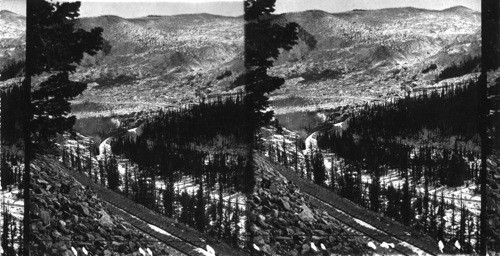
12, 37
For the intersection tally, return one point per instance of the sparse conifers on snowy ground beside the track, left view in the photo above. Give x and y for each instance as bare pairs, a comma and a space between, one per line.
207, 213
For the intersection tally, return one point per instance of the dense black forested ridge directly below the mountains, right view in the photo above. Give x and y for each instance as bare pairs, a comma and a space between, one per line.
449, 112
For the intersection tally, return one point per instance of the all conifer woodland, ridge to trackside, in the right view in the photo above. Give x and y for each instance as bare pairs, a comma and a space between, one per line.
386, 137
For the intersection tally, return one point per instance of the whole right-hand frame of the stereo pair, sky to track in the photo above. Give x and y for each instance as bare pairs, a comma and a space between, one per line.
374, 146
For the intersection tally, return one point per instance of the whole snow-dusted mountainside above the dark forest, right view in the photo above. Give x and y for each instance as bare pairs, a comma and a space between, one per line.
364, 55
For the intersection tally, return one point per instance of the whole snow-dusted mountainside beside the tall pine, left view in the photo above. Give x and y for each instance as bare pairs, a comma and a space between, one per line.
162, 60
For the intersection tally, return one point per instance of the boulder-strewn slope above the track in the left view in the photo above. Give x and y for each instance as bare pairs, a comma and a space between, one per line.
66, 215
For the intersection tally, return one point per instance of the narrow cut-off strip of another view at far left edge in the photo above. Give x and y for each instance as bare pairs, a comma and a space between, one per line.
13, 117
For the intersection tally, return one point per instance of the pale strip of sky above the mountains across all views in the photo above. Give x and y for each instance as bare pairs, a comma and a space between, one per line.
138, 8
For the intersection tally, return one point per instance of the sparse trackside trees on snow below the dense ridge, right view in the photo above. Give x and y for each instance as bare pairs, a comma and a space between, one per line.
403, 203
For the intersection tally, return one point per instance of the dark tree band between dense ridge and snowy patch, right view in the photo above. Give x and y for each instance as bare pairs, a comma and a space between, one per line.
450, 167
